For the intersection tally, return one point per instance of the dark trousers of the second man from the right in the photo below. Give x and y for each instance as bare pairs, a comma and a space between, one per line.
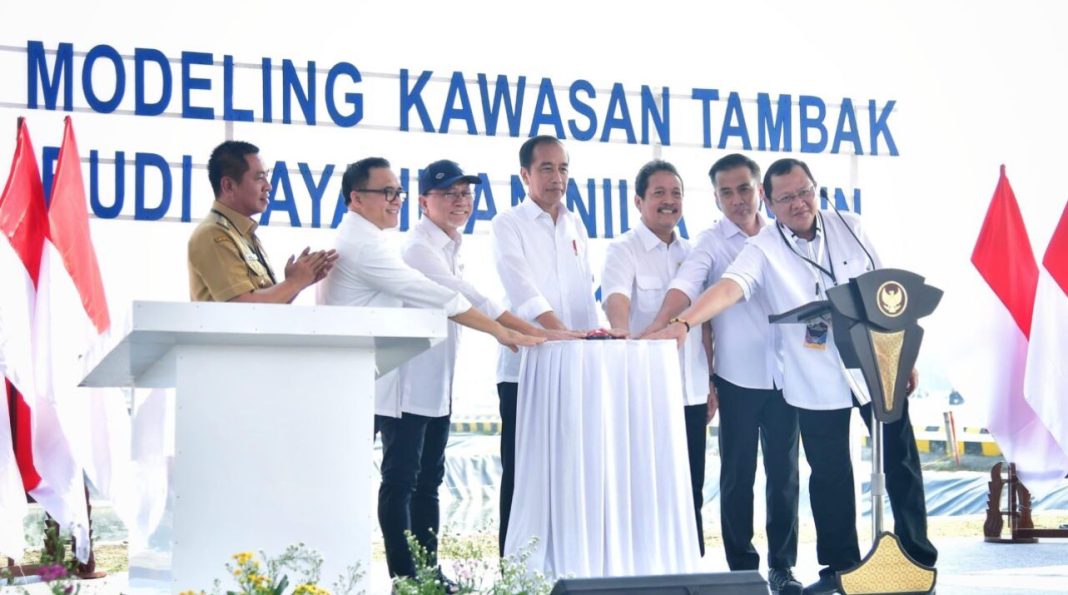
748, 417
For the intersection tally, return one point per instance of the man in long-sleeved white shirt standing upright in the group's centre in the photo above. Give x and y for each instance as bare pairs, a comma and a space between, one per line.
540, 249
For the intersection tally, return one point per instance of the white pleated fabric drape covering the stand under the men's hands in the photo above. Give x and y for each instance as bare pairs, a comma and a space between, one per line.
603, 477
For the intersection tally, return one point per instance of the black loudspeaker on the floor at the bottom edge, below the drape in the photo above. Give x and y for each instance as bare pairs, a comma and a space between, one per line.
743, 583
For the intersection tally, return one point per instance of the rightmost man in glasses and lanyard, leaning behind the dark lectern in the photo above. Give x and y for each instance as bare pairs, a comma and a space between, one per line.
793, 263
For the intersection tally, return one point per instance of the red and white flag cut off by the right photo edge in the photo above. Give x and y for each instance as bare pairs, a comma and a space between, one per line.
1047, 381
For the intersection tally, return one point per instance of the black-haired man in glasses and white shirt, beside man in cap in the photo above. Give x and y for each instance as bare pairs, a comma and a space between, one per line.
371, 273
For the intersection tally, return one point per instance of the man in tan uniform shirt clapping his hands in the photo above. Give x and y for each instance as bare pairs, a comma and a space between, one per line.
227, 262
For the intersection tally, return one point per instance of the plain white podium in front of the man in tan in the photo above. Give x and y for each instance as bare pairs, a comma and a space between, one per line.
274, 428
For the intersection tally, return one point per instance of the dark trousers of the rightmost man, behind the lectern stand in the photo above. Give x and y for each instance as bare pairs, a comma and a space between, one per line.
826, 439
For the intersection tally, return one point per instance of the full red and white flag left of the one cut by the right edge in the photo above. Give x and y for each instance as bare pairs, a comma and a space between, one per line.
1003, 325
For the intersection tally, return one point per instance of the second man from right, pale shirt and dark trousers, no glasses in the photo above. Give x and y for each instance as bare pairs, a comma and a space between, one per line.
751, 405
